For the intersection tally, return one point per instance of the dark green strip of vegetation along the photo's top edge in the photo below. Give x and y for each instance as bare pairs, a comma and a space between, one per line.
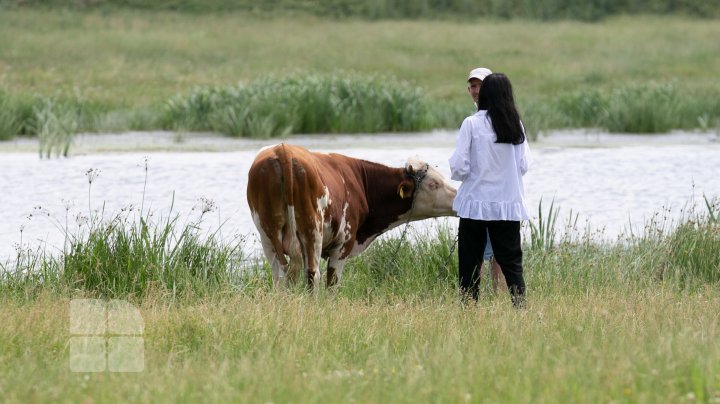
403, 9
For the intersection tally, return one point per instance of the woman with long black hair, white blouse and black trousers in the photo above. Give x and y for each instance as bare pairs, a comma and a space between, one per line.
490, 158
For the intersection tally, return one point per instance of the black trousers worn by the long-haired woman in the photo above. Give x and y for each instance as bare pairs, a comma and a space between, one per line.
505, 238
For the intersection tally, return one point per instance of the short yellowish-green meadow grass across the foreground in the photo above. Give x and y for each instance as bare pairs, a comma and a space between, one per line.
602, 345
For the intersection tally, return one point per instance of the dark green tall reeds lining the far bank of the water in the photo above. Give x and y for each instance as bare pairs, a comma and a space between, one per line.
351, 103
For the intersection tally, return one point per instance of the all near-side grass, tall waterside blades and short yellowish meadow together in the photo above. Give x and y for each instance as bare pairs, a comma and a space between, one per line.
634, 320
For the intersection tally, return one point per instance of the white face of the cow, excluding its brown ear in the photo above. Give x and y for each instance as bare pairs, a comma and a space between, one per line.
435, 196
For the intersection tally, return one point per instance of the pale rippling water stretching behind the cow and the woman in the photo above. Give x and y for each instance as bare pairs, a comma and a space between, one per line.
612, 181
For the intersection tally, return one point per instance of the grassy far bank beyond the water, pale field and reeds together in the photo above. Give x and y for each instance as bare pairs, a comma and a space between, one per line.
128, 70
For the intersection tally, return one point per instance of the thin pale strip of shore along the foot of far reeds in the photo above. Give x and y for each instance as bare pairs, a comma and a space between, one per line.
178, 142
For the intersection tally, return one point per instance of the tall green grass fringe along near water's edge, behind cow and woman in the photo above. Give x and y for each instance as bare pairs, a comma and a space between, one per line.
121, 257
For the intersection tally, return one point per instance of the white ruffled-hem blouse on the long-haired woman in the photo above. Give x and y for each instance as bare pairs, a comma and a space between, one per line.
491, 173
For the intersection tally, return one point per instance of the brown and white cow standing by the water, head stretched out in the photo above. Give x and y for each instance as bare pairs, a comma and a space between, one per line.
309, 205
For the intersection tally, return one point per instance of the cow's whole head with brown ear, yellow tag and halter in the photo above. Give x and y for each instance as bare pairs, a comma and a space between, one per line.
433, 194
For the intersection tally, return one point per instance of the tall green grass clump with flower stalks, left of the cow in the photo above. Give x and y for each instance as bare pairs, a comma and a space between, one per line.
131, 254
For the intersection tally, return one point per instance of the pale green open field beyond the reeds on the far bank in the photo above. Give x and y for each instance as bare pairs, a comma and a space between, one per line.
142, 58
